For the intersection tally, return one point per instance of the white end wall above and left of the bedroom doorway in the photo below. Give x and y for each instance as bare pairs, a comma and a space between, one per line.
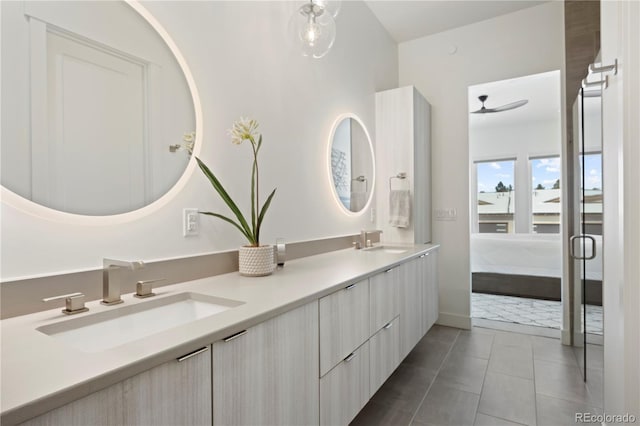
522, 43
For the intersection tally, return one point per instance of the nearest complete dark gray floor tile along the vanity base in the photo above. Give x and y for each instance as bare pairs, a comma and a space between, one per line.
405, 389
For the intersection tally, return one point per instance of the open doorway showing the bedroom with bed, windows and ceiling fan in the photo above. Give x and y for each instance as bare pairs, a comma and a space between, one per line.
516, 202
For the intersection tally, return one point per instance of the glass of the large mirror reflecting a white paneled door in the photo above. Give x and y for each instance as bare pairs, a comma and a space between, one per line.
94, 107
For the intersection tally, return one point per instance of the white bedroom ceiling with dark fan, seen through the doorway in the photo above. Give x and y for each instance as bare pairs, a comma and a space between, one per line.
541, 90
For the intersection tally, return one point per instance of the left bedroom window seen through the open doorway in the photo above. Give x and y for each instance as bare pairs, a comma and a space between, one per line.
496, 196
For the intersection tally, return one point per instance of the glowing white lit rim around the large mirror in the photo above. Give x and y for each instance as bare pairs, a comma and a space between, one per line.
24, 205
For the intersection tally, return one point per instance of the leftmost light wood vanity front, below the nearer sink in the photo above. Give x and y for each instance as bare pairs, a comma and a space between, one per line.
169, 394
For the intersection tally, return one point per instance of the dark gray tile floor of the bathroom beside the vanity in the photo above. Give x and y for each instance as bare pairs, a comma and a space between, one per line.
486, 377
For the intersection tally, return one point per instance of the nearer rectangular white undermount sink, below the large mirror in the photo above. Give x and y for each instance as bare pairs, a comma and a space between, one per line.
109, 329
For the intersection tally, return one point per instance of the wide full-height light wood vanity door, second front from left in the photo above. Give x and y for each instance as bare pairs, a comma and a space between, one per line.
269, 375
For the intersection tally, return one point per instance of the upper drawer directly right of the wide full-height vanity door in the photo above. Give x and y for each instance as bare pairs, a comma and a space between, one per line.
344, 323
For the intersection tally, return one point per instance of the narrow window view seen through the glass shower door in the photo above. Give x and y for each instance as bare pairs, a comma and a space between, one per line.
592, 192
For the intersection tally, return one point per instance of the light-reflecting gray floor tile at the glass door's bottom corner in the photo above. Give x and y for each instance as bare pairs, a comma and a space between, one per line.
561, 381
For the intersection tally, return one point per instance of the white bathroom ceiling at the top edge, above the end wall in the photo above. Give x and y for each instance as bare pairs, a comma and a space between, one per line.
408, 20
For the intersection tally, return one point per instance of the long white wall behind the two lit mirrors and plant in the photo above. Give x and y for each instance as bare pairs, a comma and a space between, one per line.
244, 64
